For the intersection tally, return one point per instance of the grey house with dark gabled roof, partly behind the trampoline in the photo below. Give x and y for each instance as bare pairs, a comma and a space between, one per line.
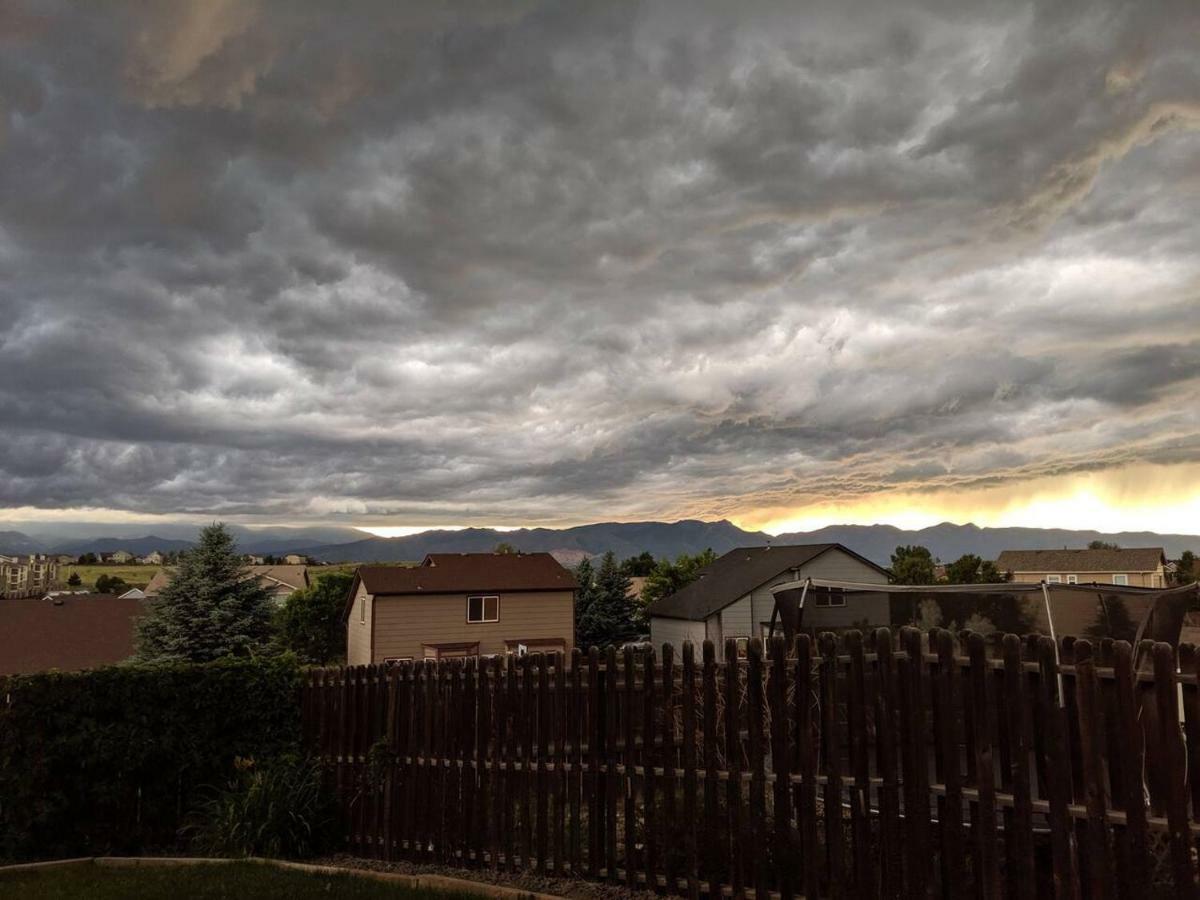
733, 599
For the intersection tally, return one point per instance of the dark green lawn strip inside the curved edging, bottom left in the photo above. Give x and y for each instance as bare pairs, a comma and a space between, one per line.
233, 881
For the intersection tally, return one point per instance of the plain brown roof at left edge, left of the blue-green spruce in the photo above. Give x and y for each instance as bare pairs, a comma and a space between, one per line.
68, 633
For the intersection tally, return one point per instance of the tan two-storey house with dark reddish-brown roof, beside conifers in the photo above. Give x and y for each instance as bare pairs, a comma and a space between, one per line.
460, 605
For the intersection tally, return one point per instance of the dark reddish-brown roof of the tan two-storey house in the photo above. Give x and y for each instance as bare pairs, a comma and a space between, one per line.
465, 573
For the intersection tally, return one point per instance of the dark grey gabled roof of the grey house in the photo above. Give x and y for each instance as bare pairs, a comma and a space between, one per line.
737, 574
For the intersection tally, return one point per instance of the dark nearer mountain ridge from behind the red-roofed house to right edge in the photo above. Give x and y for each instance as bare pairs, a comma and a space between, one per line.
669, 539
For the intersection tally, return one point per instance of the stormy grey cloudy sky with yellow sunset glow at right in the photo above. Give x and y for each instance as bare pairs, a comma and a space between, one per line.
409, 266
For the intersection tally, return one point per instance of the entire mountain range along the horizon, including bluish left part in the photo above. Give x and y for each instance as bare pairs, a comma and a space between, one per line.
947, 542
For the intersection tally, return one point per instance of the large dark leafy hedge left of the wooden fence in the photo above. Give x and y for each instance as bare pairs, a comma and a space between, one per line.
110, 761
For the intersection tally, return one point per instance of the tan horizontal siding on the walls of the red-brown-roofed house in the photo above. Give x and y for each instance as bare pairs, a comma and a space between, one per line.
405, 625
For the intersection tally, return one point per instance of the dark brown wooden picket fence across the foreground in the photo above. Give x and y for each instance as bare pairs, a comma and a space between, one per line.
886, 766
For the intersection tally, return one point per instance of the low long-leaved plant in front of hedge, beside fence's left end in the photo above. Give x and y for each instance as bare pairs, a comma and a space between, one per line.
277, 809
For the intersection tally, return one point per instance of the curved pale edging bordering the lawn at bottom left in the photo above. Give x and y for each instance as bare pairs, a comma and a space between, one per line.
427, 883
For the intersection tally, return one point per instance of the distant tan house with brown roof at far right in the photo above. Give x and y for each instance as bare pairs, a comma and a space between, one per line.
1137, 568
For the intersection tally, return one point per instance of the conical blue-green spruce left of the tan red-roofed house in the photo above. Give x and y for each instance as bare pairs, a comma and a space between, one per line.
209, 610
